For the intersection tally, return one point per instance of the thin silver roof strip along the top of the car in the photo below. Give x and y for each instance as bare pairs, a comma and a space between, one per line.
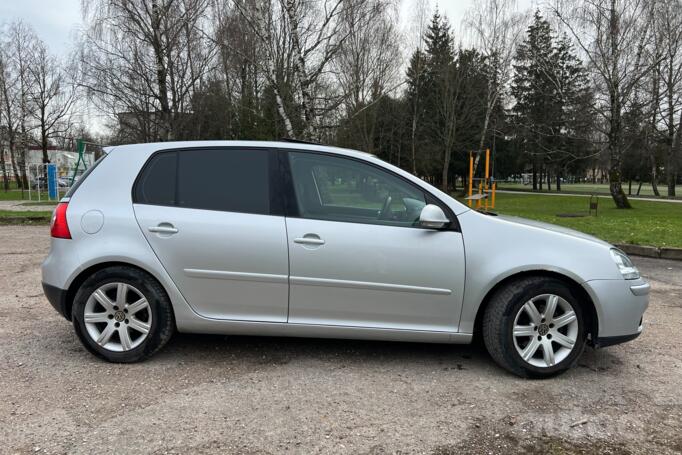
155, 146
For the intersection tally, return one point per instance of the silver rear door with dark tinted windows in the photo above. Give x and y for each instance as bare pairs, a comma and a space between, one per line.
215, 222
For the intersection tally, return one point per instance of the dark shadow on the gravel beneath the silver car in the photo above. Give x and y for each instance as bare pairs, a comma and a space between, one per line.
255, 350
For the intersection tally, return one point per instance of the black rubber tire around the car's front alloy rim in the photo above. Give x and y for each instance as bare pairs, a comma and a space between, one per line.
498, 322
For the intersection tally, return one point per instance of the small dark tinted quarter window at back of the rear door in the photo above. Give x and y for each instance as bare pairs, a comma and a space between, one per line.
156, 185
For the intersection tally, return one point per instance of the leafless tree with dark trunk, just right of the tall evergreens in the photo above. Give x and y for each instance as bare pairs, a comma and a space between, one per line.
613, 34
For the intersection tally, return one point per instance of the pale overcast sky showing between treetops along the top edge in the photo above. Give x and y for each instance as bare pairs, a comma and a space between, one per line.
57, 21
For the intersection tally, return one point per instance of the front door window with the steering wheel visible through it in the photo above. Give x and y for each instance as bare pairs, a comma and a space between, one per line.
342, 189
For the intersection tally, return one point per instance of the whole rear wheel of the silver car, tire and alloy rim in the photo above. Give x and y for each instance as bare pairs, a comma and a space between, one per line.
122, 314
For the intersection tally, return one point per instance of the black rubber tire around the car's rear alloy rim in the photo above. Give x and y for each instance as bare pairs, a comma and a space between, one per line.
162, 324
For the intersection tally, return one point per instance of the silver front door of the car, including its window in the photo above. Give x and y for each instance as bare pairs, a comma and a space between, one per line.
357, 255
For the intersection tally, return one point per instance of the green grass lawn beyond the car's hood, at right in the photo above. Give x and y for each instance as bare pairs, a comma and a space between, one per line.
647, 223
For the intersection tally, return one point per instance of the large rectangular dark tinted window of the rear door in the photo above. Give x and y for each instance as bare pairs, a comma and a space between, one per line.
230, 180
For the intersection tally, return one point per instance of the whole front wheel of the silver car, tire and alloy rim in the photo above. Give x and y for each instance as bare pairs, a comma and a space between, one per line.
534, 327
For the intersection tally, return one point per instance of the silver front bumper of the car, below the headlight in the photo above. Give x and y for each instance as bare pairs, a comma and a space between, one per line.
620, 306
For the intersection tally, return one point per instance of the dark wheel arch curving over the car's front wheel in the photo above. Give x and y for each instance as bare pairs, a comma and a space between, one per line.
583, 295
